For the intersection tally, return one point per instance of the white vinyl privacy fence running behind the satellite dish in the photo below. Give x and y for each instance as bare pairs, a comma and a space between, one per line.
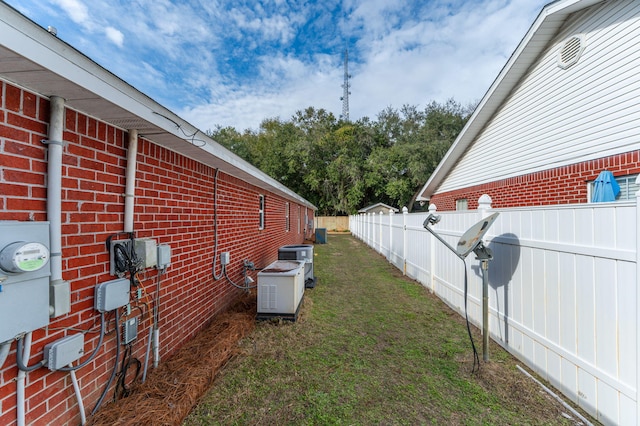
563, 290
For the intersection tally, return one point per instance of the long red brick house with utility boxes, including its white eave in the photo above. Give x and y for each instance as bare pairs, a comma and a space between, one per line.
88, 162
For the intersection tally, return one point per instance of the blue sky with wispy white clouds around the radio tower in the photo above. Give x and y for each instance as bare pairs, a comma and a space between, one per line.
235, 63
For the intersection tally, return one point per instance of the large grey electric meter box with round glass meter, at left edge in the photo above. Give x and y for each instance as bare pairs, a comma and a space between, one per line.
24, 277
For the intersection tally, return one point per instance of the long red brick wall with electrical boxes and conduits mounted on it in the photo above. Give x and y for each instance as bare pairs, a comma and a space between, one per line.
174, 205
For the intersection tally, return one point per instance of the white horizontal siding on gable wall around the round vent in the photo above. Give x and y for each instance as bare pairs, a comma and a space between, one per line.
557, 117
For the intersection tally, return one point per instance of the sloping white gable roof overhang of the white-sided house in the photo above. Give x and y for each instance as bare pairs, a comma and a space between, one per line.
535, 42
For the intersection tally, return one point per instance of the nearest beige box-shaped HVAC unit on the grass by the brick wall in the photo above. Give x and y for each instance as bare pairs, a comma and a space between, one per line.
280, 290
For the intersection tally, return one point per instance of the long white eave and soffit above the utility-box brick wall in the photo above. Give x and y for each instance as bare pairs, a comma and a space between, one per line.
38, 61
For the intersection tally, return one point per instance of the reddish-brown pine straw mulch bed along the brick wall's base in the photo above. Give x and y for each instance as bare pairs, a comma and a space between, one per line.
176, 386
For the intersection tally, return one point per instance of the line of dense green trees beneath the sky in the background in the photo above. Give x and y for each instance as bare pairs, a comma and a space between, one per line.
342, 166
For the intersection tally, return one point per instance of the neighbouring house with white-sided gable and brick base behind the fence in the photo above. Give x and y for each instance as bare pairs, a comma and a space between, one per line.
565, 107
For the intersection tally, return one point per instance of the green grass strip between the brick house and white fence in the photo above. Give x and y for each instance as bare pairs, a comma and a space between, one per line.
370, 347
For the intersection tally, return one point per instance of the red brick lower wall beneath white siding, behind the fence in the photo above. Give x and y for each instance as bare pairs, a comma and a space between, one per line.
562, 185
